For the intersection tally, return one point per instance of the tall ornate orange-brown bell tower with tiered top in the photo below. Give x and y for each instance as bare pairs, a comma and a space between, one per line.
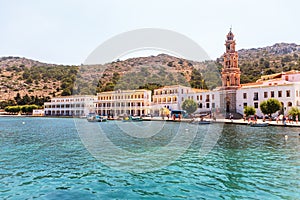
230, 75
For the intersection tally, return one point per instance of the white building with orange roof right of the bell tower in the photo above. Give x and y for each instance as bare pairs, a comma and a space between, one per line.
284, 87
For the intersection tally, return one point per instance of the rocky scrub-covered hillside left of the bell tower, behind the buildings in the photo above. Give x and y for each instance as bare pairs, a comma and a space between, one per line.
21, 76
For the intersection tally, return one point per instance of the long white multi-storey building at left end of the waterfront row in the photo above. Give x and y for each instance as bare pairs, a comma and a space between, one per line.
70, 106
